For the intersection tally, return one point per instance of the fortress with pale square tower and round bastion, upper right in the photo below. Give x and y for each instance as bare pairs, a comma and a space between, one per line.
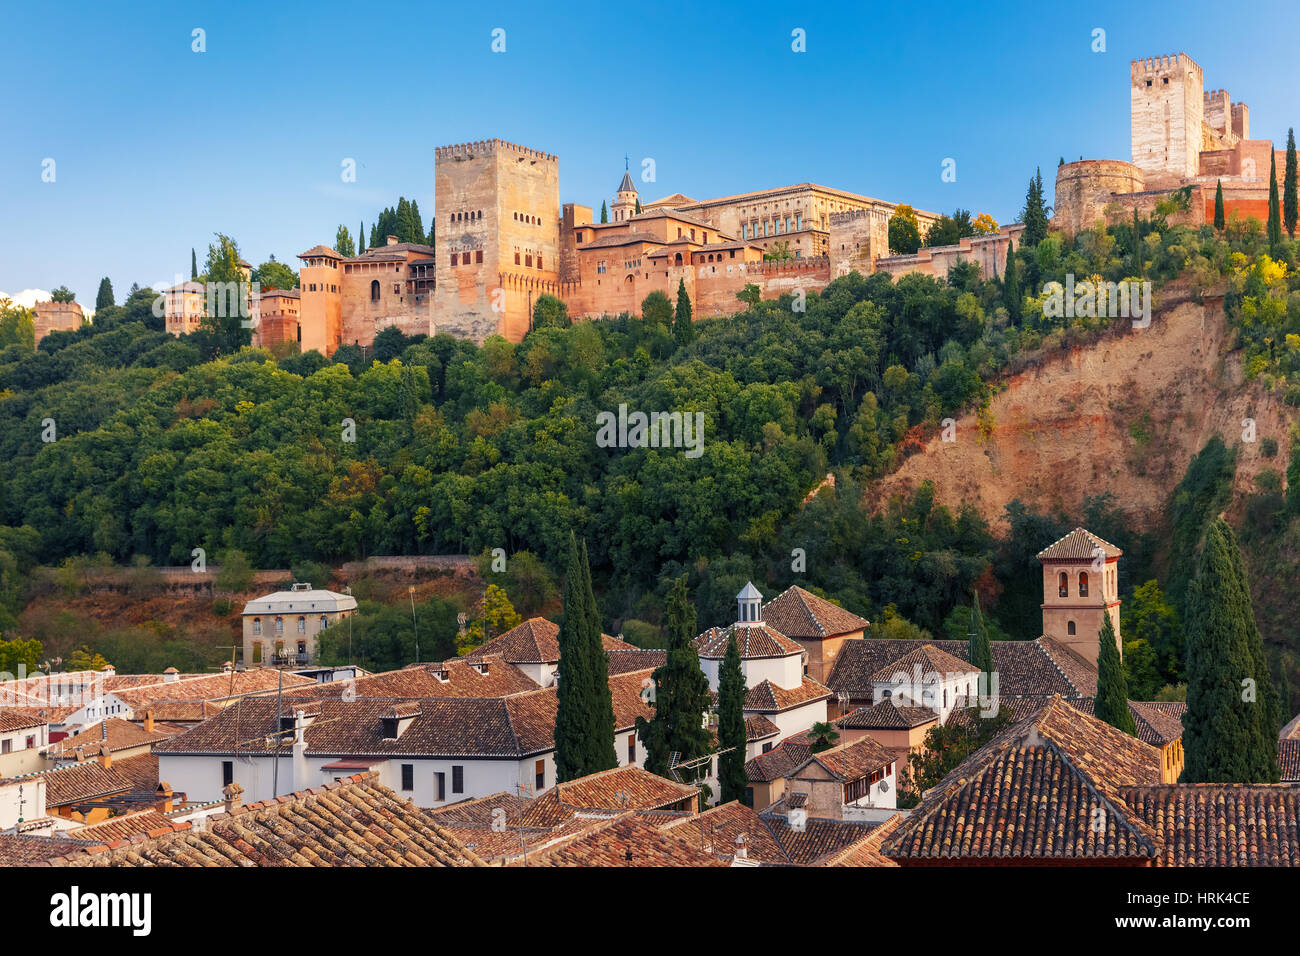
1186, 140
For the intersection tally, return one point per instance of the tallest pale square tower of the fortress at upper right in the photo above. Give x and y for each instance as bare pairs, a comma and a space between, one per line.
1168, 109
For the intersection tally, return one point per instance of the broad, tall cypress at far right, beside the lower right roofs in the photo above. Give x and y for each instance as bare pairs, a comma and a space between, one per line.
1230, 734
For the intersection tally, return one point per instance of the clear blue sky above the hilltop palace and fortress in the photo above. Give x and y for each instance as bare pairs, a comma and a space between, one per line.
158, 148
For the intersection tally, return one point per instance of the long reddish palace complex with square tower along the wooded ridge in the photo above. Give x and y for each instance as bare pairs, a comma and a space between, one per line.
504, 240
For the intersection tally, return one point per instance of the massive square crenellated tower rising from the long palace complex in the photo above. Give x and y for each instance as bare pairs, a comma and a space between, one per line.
499, 215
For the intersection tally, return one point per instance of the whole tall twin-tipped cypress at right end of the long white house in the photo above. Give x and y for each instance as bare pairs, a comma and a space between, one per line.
584, 716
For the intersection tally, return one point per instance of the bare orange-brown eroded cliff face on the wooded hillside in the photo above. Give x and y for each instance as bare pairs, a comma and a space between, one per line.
1125, 417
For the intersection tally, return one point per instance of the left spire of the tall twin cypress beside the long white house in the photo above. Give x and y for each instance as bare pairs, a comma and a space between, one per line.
575, 710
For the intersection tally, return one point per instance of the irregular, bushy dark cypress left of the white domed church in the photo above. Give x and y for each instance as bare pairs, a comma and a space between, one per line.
682, 691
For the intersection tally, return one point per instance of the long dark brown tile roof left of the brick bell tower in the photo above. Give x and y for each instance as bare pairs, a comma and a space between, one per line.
1039, 668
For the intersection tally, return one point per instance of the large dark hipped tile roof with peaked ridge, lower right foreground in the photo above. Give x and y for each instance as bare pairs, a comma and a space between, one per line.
1037, 793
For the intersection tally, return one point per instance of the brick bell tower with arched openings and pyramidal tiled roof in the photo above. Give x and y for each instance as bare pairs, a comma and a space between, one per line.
1081, 585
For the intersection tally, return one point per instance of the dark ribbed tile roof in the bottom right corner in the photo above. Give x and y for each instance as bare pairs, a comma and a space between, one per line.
1221, 824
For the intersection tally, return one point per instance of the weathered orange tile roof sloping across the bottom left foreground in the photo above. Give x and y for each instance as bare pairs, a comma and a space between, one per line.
354, 823
